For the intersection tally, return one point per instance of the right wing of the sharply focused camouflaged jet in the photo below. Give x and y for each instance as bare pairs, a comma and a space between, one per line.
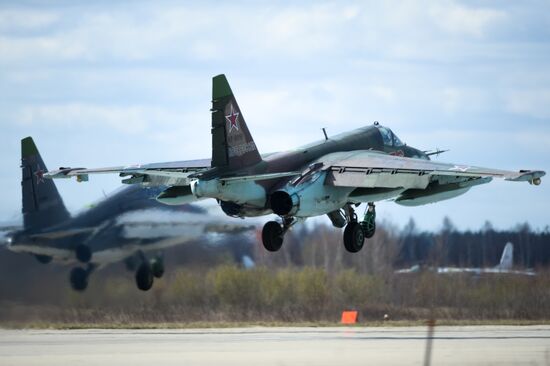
370, 169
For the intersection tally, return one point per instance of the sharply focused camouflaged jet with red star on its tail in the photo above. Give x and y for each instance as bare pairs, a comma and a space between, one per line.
329, 177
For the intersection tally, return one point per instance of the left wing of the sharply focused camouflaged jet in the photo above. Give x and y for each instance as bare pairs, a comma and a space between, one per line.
170, 173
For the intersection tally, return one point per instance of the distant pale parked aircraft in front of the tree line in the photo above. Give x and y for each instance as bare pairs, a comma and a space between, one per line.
505, 266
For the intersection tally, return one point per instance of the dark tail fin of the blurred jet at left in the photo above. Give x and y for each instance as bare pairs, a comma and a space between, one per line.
42, 204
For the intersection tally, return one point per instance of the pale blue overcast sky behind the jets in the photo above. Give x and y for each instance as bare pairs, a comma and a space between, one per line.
111, 83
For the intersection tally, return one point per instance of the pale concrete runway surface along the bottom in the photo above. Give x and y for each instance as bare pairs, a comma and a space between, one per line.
476, 345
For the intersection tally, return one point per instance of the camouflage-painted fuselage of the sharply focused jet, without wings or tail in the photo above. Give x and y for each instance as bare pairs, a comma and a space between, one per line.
251, 198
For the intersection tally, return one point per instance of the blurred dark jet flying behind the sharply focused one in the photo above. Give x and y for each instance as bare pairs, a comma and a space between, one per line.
121, 227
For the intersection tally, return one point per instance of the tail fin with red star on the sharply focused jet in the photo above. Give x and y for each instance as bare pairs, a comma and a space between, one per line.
232, 145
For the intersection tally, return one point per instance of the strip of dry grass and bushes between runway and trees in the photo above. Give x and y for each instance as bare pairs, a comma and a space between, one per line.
228, 296
